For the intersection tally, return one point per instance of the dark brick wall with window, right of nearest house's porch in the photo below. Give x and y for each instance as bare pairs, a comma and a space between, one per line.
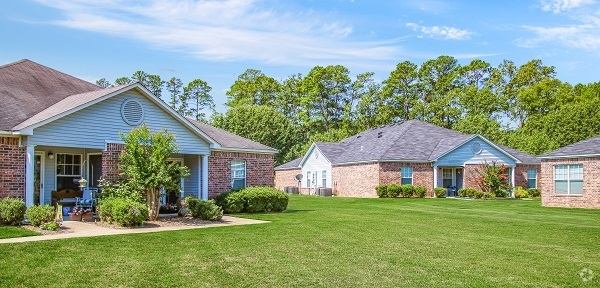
259, 170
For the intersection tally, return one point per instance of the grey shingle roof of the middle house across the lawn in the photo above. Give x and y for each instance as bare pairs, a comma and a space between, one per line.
410, 141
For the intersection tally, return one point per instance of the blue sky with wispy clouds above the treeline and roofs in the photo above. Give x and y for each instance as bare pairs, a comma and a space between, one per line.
217, 40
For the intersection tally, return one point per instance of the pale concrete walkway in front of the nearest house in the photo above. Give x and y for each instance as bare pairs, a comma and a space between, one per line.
77, 229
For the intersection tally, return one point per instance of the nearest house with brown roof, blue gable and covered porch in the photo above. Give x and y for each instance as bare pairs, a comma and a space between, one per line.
56, 129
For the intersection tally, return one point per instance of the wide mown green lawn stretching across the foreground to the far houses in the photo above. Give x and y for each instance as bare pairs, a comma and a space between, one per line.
335, 242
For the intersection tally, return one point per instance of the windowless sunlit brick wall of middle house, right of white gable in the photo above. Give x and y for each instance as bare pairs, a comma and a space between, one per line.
355, 180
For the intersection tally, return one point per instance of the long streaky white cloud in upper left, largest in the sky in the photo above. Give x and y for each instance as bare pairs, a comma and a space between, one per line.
228, 30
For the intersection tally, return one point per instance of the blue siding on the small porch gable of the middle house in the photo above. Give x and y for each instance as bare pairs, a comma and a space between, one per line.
464, 155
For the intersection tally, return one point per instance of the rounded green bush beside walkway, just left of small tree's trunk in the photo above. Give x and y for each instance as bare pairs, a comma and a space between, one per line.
122, 211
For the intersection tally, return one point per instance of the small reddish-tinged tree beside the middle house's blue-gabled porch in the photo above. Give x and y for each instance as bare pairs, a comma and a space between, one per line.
492, 179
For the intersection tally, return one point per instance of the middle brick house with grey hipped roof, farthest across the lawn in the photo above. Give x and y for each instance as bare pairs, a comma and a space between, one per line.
412, 152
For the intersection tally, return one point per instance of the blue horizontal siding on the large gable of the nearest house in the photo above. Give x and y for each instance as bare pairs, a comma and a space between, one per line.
93, 126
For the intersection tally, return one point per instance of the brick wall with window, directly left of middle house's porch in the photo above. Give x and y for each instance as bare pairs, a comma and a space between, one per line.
422, 174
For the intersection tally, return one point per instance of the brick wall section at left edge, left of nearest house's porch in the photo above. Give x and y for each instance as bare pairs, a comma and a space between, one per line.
12, 168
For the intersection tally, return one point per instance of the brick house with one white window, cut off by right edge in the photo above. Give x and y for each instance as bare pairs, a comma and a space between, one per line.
571, 175
